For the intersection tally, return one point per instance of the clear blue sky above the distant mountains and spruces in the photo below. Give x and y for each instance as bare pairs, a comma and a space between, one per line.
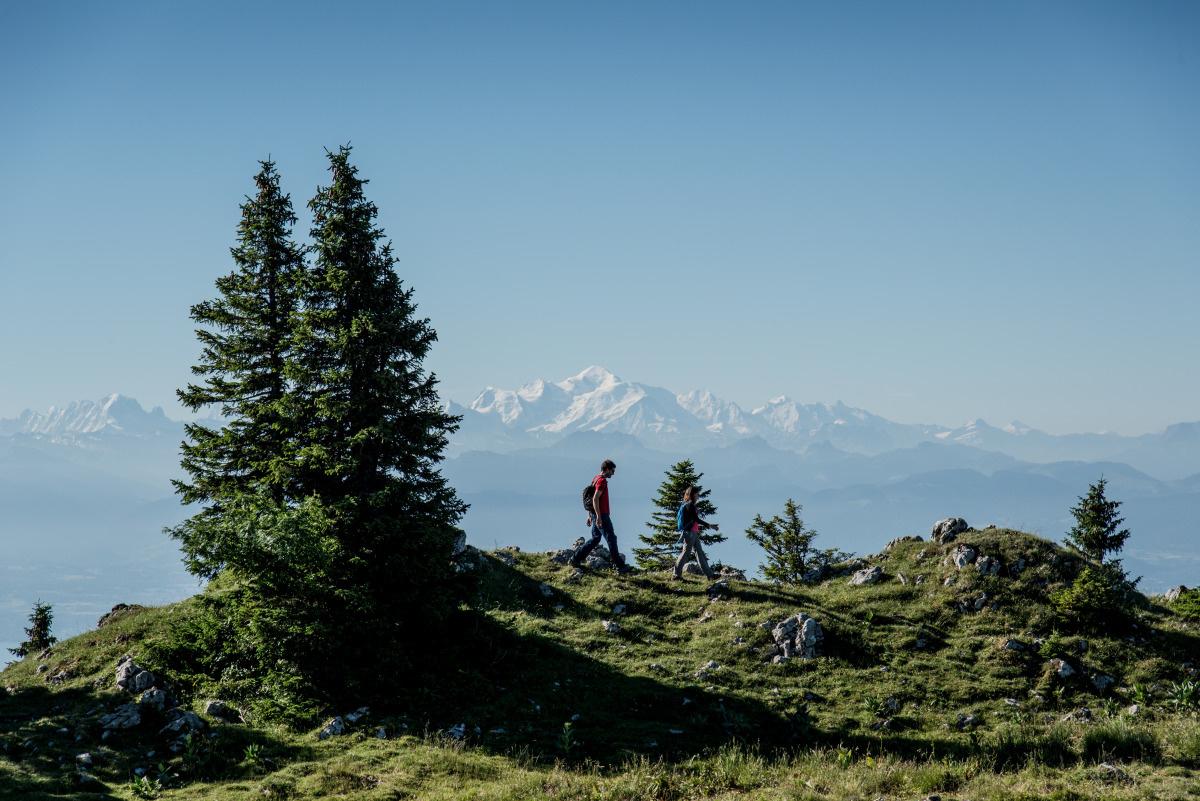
932, 210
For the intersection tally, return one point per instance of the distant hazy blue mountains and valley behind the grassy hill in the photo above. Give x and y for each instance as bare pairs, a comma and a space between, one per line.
87, 492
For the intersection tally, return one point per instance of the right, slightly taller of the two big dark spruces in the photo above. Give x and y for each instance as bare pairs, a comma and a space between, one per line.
374, 438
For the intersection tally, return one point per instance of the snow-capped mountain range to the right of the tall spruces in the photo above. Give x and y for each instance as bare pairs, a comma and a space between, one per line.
598, 401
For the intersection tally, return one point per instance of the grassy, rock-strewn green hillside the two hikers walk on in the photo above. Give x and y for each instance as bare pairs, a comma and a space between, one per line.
937, 680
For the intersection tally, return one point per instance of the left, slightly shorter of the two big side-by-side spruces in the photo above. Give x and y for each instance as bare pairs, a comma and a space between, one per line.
247, 334
